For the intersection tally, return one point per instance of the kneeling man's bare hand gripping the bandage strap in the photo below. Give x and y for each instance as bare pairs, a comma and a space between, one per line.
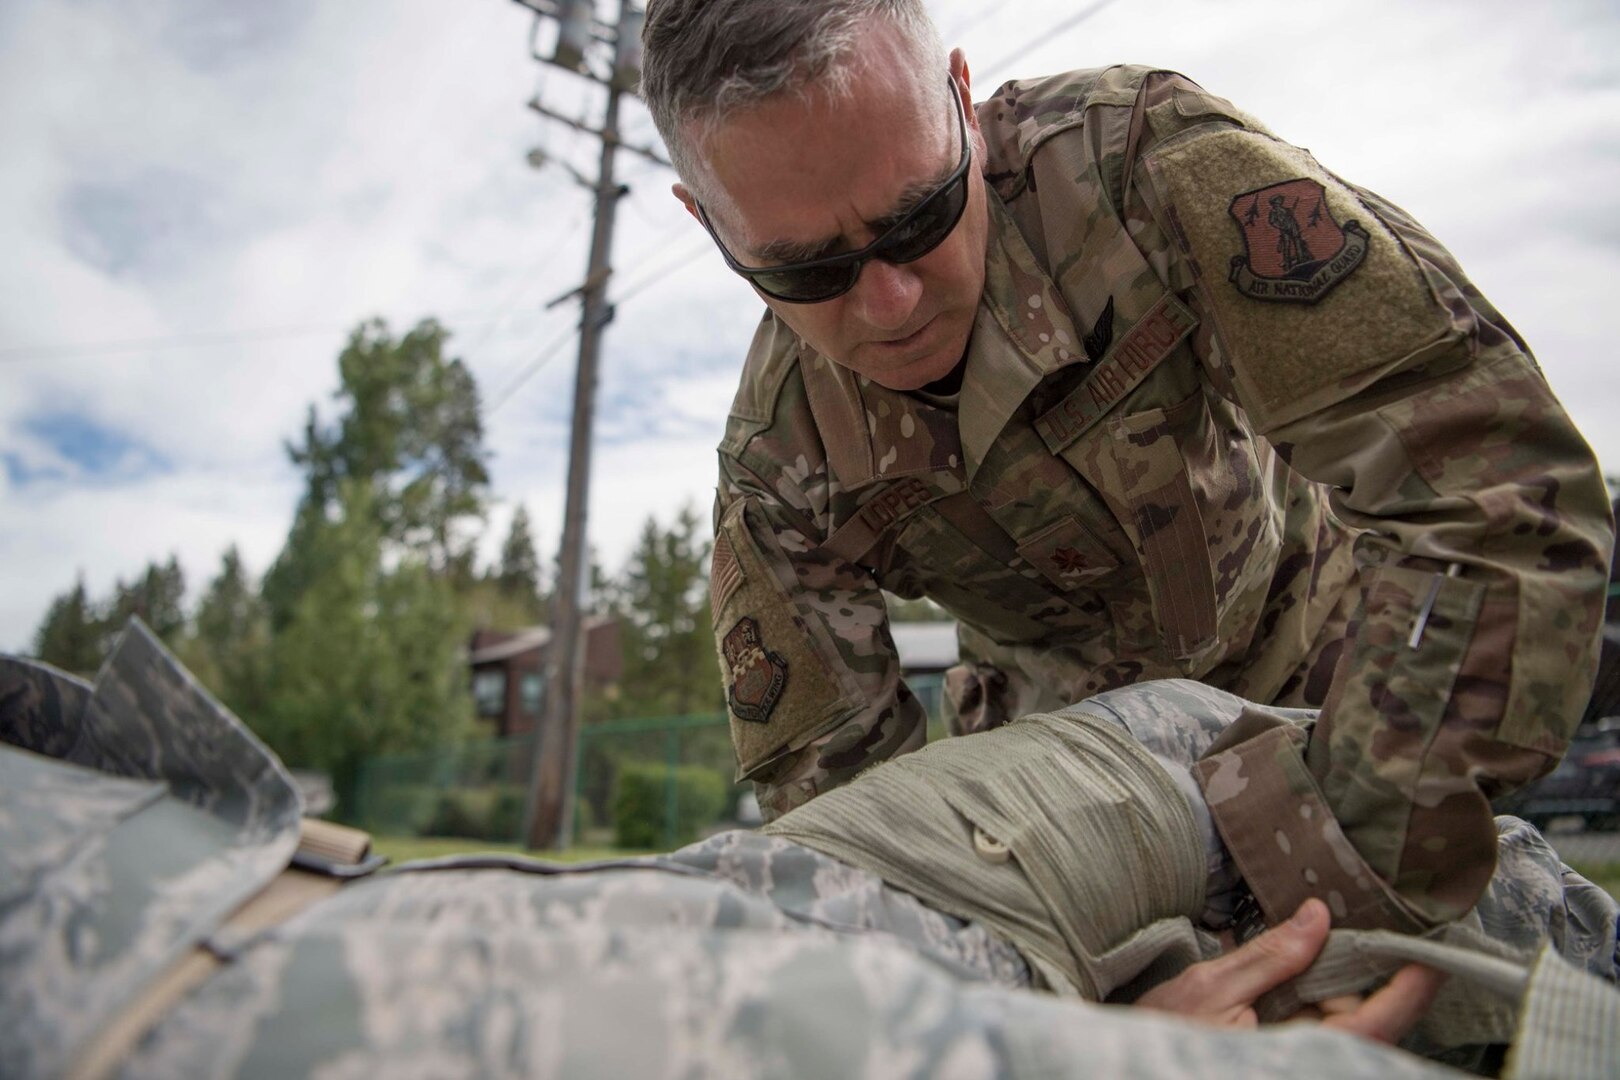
1222, 992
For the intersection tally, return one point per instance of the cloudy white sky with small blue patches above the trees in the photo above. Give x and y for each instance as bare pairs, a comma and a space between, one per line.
200, 198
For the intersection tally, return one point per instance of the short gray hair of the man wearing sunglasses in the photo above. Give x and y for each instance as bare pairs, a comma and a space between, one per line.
706, 59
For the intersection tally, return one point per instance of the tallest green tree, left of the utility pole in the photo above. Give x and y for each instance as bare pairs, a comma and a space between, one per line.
364, 603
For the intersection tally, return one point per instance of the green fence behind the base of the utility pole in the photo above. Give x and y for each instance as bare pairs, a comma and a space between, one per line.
646, 783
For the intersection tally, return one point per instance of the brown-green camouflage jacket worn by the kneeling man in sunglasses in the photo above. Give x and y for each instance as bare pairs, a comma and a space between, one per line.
1224, 417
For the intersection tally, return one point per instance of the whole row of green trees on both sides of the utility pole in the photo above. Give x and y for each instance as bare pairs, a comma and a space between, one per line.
354, 644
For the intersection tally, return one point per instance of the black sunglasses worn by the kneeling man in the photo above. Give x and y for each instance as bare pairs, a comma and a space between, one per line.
910, 239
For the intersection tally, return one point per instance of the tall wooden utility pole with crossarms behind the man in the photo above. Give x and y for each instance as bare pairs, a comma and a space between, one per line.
584, 46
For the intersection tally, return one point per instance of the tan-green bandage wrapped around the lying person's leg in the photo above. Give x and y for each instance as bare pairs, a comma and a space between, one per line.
1060, 833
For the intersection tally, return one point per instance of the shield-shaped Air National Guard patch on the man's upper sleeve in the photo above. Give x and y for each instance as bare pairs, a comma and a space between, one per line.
1295, 249
